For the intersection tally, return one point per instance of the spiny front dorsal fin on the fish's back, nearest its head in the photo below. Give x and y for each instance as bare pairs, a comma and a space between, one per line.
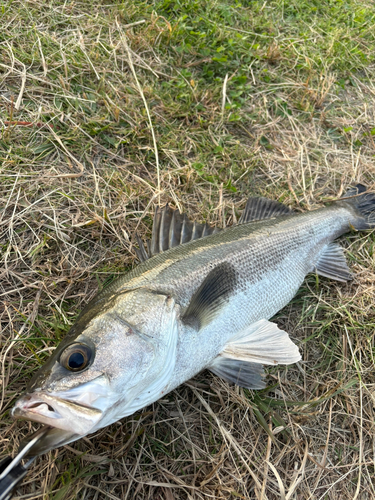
170, 229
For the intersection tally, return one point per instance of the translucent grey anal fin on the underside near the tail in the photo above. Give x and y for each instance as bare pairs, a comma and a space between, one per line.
332, 264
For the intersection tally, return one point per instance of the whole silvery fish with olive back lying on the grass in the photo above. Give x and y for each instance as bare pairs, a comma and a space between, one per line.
201, 298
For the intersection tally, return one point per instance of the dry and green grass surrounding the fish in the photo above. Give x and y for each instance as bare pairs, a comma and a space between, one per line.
225, 100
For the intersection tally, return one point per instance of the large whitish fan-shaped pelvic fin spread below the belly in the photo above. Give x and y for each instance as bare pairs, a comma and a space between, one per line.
263, 342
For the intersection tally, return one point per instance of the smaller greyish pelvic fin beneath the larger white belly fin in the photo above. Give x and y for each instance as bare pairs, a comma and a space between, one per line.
242, 373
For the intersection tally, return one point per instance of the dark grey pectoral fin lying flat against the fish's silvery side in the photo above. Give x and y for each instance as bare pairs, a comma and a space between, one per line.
211, 296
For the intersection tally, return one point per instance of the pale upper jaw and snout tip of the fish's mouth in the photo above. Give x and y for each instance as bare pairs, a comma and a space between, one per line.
57, 412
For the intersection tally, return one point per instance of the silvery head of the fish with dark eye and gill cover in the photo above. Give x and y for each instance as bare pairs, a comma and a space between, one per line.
116, 359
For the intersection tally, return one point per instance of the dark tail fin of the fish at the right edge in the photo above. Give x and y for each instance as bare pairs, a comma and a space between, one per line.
363, 202
